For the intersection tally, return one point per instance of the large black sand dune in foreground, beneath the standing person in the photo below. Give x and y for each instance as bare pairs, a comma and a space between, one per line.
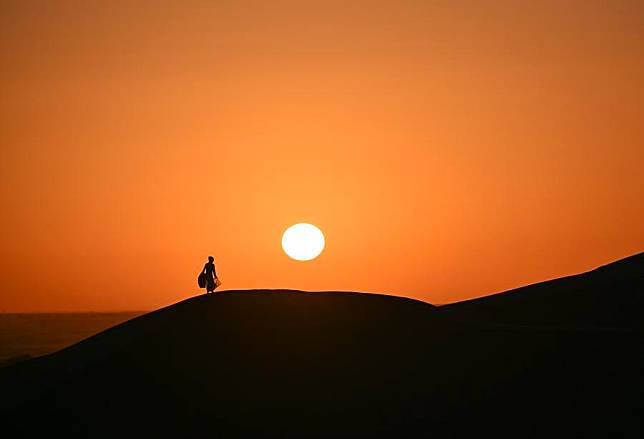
294, 364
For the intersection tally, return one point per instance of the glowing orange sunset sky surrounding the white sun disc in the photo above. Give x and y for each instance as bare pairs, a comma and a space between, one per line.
447, 149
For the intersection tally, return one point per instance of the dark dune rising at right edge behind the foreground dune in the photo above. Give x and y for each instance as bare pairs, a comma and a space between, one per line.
610, 296
